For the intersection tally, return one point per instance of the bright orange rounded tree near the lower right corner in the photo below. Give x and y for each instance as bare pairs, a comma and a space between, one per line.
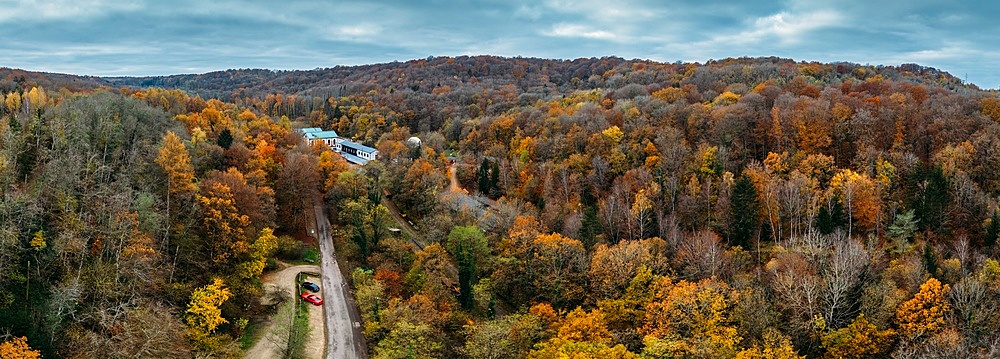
925, 313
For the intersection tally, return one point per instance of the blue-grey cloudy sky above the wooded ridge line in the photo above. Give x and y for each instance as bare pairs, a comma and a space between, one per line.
156, 37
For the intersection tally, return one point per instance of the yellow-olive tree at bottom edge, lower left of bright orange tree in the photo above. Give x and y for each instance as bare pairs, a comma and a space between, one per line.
861, 339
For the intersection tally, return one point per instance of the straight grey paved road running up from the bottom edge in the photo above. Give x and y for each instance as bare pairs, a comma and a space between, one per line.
343, 321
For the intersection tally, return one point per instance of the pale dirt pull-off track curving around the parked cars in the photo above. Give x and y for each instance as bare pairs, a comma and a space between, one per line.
275, 338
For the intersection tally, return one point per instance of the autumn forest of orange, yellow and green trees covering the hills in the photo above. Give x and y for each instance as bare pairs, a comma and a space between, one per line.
606, 208
